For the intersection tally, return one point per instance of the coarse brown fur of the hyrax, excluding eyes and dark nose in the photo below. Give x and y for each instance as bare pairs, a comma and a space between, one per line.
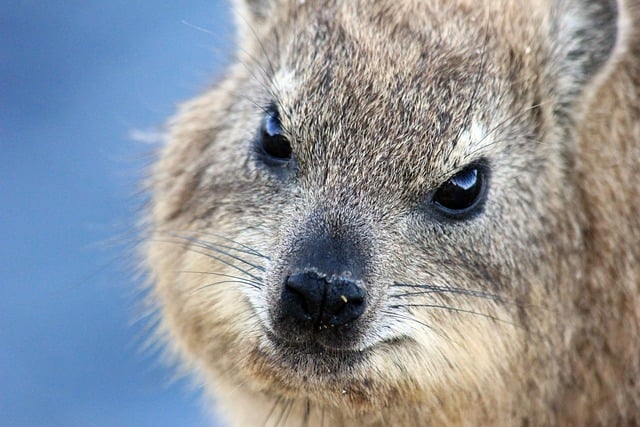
527, 313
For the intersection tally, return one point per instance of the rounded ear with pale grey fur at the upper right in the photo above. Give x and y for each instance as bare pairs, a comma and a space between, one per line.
583, 34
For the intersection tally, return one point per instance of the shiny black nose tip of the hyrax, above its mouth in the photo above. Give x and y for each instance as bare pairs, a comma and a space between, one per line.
320, 301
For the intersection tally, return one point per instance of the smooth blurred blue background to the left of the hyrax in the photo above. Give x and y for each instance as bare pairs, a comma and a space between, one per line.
83, 85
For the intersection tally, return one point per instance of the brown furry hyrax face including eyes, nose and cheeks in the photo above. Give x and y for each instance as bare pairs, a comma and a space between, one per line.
373, 207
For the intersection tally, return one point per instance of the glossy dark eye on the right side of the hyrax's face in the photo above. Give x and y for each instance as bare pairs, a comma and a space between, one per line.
462, 194
